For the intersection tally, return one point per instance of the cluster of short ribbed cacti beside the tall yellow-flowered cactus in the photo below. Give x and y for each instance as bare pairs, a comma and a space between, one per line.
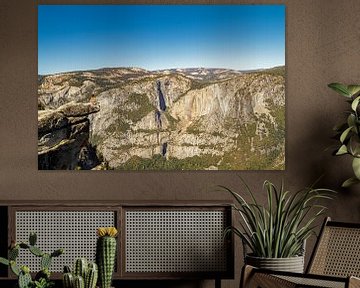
84, 275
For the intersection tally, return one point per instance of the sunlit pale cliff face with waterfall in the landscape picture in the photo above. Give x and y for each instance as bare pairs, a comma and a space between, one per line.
175, 119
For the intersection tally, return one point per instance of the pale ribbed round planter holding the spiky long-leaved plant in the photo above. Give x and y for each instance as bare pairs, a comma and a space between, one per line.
291, 264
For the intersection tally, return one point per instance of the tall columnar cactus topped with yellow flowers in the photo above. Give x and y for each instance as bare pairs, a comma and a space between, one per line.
105, 254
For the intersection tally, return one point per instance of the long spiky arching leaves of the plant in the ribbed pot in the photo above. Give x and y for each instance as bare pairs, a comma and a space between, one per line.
279, 229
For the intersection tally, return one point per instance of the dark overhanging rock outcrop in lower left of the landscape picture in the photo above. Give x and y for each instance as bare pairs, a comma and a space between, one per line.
63, 137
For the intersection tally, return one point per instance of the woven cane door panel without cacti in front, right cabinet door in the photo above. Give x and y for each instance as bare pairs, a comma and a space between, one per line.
167, 241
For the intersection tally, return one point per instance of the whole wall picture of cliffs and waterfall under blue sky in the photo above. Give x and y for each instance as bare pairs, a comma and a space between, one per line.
161, 87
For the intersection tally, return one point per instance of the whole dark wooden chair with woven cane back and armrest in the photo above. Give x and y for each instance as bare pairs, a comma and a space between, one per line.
335, 262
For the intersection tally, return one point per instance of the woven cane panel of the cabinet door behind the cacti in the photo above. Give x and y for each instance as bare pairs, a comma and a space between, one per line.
73, 230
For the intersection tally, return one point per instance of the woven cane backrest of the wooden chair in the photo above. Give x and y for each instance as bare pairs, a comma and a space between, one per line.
337, 251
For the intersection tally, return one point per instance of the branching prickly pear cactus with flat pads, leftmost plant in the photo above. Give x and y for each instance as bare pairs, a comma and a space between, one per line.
42, 278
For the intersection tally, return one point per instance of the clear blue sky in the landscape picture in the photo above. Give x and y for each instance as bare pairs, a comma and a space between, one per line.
82, 37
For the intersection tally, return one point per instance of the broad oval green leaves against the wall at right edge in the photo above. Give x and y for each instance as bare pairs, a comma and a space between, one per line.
348, 132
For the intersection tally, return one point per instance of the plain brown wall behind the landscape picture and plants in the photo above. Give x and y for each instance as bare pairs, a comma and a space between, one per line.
323, 46
